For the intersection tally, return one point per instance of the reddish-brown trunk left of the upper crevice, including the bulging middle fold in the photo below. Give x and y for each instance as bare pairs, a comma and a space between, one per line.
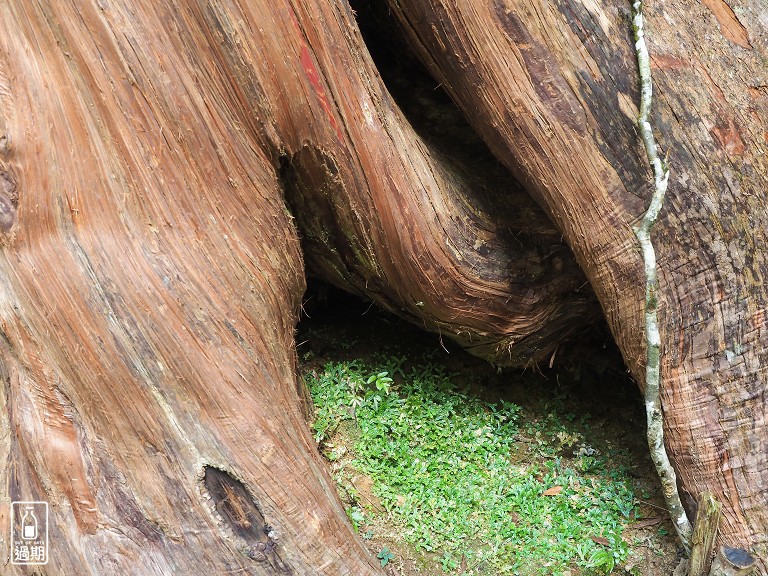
152, 277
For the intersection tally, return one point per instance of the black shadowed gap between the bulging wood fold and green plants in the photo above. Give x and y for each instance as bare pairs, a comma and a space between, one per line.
590, 371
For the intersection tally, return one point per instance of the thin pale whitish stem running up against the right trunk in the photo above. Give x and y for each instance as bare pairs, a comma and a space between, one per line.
653, 340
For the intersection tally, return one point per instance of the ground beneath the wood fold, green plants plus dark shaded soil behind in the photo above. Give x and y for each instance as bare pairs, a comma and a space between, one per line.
448, 466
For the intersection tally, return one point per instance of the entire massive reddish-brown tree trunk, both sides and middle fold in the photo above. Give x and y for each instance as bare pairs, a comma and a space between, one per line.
151, 272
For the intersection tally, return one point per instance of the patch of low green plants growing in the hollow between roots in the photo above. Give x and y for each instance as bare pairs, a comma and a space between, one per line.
482, 487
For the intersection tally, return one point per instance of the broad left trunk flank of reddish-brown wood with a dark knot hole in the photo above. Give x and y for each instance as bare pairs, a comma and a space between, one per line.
150, 282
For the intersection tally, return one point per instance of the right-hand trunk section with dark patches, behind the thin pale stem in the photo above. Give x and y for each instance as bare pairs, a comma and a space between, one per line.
552, 86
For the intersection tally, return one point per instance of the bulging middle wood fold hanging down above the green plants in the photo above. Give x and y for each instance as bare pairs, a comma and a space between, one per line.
385, 214
